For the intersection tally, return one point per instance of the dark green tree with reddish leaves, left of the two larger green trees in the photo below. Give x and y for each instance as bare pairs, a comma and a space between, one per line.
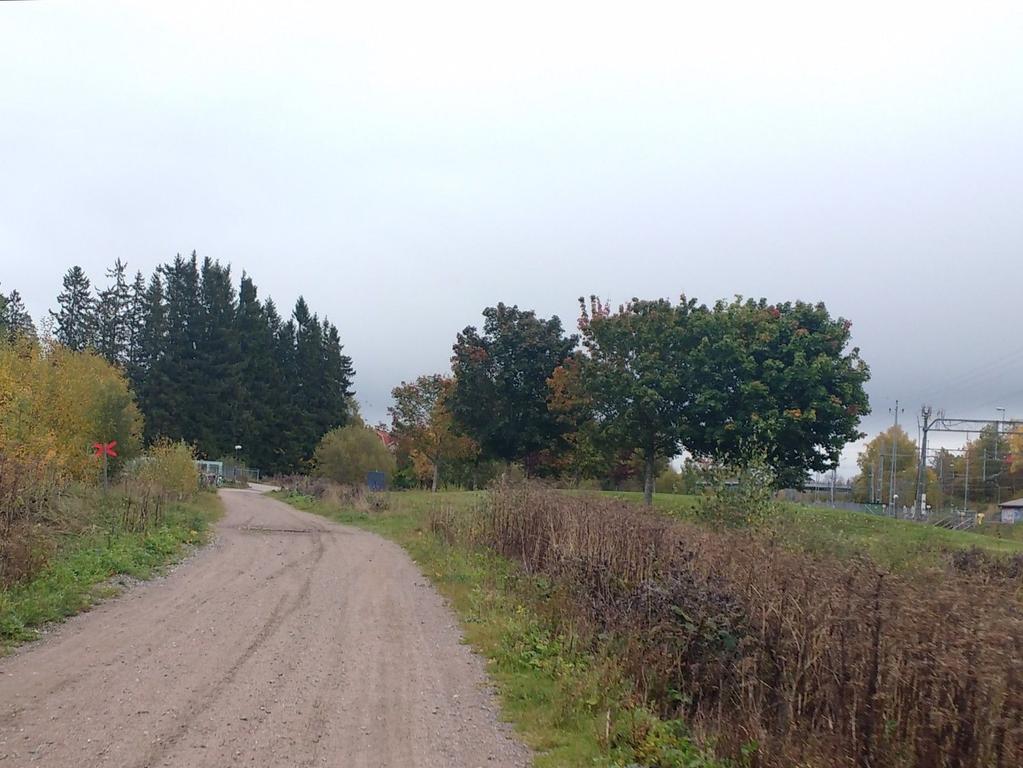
501, 394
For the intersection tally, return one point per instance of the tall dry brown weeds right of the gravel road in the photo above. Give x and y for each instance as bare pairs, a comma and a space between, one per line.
814, 661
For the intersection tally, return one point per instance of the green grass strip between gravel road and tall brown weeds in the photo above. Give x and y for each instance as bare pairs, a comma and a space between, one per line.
572, 707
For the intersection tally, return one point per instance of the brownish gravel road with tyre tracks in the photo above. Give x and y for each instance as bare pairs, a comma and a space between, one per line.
291, 642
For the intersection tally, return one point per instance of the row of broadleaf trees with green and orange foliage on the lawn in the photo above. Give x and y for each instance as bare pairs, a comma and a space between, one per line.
775, 390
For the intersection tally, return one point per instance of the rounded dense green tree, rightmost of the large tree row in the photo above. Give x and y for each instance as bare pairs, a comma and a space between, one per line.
779, 382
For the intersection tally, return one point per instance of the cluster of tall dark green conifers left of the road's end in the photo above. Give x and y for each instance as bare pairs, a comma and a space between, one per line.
211, 365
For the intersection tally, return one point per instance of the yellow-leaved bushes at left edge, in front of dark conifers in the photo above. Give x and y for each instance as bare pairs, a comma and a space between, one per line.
56, 403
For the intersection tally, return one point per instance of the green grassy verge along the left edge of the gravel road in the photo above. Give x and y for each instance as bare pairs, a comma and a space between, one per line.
99, 549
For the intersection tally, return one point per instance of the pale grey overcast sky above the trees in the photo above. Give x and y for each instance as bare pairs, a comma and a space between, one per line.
405, 166
